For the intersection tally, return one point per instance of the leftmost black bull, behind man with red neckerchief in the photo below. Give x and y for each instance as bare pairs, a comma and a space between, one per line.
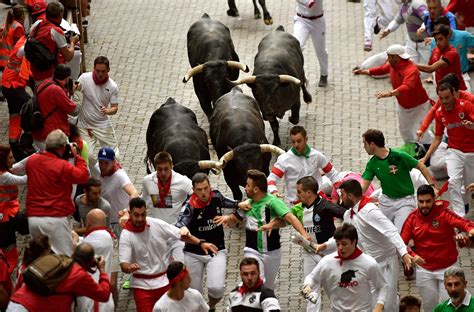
173, 128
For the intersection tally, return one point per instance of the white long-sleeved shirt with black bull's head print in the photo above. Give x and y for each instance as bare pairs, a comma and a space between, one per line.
349, 284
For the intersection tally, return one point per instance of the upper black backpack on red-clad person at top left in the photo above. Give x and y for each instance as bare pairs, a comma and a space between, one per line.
37, 54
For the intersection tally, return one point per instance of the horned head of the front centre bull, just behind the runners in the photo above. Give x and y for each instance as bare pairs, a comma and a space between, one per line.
249, 156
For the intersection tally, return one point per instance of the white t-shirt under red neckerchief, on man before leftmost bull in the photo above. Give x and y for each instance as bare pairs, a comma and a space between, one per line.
180, 188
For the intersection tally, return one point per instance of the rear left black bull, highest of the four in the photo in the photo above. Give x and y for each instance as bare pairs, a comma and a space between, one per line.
213, 60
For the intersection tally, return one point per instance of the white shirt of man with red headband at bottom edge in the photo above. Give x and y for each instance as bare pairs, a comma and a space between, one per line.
191, 302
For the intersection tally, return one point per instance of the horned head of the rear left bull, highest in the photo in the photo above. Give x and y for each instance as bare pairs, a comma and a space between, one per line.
216, 76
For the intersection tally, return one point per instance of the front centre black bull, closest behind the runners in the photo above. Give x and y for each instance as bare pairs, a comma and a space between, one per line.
238, 134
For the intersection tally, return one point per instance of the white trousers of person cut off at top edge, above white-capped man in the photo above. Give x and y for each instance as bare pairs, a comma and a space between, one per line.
370, 15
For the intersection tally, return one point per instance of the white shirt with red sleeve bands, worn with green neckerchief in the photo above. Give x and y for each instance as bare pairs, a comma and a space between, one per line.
291, 168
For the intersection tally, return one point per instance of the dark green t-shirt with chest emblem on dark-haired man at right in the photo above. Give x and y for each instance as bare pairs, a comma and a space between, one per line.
393, 173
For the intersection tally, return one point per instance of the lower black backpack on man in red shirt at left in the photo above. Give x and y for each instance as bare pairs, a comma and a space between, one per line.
31, 118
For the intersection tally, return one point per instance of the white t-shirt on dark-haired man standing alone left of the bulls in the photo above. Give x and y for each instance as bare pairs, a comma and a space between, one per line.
95, 96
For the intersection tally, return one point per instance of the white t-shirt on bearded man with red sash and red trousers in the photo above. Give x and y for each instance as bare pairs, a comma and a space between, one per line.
150, 250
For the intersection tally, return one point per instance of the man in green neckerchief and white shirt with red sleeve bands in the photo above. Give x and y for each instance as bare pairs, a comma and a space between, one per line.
298, 162
